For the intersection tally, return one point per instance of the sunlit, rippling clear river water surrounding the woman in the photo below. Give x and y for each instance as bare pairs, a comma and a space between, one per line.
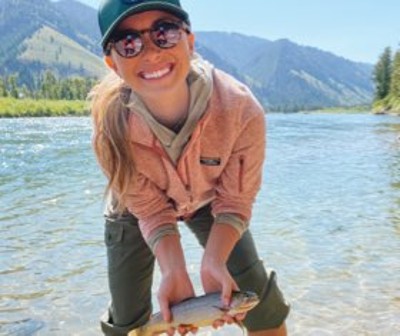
327, 219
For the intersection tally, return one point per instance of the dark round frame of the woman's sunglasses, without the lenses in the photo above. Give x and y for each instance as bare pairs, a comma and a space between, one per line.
118, 36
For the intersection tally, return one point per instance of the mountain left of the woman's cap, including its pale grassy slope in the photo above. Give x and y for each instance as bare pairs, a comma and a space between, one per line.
37, 36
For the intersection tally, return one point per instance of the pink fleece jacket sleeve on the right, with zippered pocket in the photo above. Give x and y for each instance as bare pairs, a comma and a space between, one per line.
241, 179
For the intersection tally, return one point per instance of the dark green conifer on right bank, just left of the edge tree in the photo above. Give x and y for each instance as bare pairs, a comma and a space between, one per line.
382, 74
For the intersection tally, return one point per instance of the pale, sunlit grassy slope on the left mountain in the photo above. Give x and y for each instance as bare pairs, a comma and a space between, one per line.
53, 49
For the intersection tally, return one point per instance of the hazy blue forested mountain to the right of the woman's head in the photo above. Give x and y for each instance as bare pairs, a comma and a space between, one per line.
289, 76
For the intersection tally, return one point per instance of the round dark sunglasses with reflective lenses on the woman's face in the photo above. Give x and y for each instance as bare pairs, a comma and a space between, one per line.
164, 34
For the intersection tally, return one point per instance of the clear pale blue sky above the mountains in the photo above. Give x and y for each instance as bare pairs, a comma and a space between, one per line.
358, 30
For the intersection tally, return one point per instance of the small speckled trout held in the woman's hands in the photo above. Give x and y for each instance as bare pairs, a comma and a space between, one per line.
200, 311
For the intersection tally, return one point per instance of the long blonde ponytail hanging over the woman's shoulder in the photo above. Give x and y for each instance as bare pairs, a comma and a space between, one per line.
111, 143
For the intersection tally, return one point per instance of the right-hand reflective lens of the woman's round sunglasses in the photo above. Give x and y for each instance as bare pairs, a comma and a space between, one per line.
166, 34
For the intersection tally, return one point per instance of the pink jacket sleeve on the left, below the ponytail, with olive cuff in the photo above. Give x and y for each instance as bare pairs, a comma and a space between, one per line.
156, 214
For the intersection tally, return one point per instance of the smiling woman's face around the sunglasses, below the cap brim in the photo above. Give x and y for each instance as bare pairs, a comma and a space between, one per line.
154, 70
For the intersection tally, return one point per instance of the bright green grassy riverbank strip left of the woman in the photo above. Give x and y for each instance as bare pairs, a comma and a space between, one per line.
16, 108
